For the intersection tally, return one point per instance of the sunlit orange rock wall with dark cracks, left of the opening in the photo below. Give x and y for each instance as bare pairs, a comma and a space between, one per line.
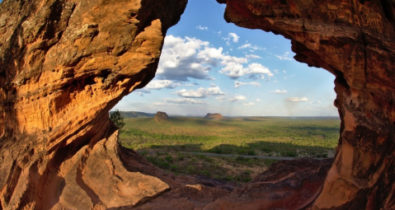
63, 66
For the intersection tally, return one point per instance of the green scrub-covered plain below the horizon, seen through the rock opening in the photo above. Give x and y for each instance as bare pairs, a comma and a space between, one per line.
178, 144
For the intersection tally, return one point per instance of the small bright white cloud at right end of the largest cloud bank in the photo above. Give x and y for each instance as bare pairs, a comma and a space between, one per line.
235, 70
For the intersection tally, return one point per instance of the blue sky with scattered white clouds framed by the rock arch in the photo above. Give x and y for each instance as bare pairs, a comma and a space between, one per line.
208, 65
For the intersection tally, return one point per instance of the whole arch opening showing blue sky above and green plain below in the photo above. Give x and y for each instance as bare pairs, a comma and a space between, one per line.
229, 102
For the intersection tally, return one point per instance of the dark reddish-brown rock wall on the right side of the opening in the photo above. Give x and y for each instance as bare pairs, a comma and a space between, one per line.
354, 40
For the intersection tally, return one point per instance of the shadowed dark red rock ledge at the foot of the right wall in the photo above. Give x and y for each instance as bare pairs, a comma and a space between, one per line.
291, 184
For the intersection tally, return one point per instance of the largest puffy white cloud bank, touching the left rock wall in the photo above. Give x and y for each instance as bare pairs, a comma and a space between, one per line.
186, 58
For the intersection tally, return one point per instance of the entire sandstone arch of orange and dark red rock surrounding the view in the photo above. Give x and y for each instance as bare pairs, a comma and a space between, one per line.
65, 64
